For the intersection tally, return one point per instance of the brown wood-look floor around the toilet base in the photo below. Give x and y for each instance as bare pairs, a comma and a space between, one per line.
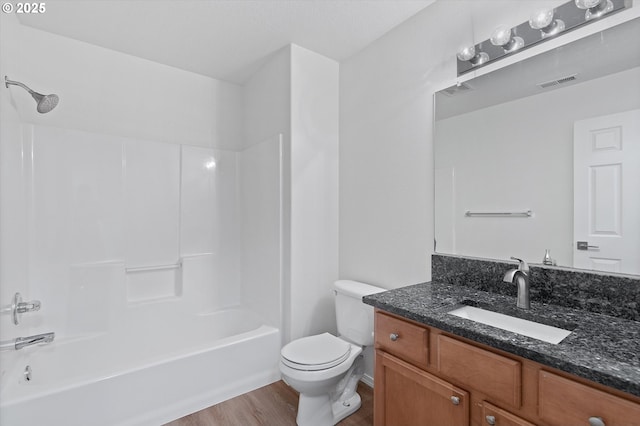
272, 405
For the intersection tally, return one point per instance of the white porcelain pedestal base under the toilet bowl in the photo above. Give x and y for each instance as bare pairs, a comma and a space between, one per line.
320, 411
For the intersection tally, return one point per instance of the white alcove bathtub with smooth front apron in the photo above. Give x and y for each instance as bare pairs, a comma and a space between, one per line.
145, 378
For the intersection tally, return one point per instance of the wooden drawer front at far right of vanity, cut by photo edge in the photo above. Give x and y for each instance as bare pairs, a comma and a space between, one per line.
565, 402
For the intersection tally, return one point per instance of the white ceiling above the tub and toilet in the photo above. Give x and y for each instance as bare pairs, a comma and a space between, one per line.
223, 39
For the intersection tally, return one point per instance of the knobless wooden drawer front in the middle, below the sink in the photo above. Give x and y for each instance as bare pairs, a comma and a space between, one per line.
494, 375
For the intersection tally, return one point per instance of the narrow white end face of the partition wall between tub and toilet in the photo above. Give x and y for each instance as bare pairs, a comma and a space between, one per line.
314, 191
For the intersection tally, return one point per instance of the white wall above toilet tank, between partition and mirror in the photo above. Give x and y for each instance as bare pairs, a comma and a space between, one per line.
386, 183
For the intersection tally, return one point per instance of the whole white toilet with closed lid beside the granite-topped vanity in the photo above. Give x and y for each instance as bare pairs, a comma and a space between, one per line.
325, 369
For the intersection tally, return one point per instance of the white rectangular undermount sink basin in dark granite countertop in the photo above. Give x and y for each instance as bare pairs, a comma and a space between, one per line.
527, 328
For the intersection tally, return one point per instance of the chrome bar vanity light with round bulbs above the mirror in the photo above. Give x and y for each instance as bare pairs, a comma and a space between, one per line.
542, 25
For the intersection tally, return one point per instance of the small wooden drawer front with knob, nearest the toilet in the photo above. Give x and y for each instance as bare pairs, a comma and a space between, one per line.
402, 339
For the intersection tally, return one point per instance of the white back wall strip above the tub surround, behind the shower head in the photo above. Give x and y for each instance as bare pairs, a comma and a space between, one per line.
108, 92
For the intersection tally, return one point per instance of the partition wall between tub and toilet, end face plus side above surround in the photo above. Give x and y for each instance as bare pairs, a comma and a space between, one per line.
296, 94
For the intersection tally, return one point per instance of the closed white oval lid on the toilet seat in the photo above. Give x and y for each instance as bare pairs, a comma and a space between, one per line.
317, 352
